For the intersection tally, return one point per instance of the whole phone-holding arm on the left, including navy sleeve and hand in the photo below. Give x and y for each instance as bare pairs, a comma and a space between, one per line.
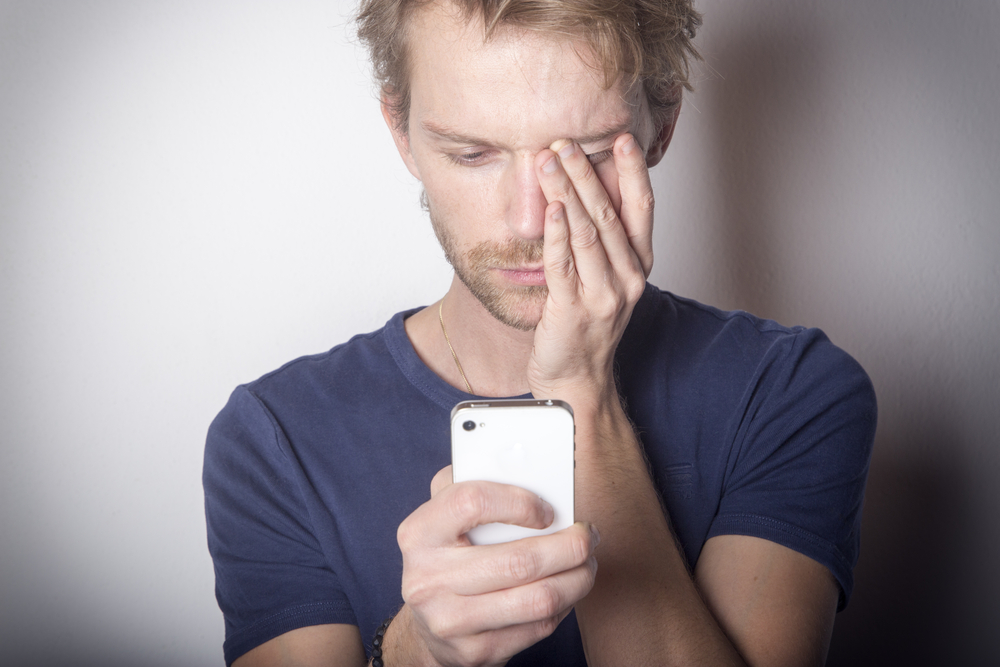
464, 604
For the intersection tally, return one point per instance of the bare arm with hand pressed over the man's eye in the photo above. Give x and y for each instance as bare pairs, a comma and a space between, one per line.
645, 607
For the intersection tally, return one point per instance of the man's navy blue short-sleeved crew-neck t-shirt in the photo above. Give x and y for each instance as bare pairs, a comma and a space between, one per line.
751, 428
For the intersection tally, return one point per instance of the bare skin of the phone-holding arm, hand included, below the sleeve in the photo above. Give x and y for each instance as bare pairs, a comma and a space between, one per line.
465, 605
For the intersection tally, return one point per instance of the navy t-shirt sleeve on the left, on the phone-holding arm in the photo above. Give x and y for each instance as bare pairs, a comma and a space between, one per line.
271, 574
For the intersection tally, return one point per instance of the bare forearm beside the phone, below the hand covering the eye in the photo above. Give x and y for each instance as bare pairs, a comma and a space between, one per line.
644, 607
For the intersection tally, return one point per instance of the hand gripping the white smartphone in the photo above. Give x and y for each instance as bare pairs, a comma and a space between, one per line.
481, 604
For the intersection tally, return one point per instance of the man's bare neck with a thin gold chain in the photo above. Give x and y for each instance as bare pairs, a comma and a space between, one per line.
494, 356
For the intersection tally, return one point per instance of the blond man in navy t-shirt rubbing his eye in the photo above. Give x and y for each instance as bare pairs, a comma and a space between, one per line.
721, 459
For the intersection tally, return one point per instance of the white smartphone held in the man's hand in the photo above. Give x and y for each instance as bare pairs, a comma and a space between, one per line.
525, 442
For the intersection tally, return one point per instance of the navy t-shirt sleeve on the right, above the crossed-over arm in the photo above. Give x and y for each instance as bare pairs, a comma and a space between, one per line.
797, 471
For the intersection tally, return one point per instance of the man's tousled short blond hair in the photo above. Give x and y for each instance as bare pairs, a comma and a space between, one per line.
647, 41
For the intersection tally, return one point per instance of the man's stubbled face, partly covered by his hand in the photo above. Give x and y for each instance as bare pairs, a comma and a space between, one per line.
479, 114
